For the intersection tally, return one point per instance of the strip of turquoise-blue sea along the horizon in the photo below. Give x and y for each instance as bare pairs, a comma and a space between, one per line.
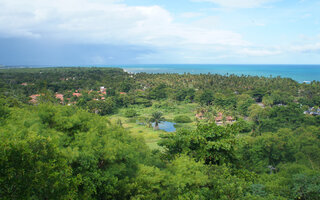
299, 73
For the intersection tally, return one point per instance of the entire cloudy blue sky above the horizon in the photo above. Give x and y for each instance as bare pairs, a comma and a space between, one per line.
111, 32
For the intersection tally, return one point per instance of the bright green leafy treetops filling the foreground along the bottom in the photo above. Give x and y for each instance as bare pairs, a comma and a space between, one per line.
56, 152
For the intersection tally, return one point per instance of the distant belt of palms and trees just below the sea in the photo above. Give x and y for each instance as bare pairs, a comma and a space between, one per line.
184, 87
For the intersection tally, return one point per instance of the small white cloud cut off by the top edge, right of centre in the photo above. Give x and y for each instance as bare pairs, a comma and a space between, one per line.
238, 3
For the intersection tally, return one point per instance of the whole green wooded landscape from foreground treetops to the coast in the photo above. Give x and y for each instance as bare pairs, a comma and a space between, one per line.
94, 133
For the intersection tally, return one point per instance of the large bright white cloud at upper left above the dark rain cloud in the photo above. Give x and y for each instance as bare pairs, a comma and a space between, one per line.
107, 21
